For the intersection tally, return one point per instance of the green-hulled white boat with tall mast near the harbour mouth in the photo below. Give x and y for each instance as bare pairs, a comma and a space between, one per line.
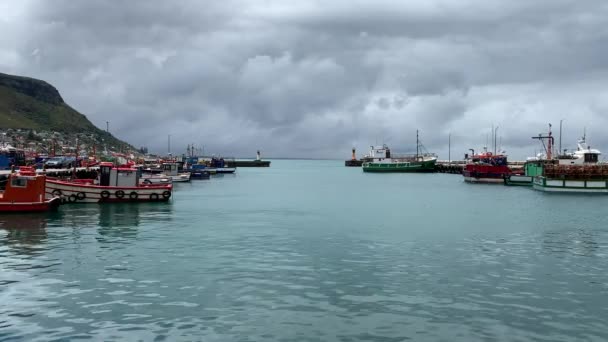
383, 162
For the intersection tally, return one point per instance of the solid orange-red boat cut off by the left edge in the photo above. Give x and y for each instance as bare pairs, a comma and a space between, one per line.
25, 192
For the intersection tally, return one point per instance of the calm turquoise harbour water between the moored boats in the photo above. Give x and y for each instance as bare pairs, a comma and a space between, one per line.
312, 251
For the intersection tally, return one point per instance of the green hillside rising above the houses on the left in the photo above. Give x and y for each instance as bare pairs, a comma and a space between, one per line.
29, 103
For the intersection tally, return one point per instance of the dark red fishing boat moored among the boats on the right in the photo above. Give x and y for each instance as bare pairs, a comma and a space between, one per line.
486, 168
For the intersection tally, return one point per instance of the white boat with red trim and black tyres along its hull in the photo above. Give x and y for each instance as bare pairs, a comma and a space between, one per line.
113, 184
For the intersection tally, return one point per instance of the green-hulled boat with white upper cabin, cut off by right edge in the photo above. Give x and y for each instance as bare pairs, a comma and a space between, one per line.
579, 171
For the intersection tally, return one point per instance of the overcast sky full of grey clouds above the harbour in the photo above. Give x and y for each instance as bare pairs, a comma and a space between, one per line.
315, 78
